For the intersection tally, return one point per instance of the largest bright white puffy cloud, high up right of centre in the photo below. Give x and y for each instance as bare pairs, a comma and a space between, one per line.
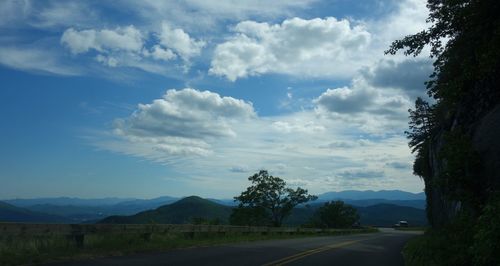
315, 47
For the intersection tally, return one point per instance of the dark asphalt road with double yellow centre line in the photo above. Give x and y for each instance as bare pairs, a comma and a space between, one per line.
382, 248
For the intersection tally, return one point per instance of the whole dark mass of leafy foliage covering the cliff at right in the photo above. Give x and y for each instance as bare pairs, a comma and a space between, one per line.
464, 37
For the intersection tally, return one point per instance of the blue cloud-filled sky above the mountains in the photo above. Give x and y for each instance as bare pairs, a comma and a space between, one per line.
151, 98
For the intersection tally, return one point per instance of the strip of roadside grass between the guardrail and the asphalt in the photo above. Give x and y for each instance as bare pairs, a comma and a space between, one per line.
50, 248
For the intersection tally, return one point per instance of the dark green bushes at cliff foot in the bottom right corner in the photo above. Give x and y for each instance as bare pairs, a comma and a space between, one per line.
461, 243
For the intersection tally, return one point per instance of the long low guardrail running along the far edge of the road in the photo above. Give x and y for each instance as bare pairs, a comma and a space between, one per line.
77, 232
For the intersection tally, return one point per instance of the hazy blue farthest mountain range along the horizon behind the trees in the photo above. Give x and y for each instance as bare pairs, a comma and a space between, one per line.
76, 210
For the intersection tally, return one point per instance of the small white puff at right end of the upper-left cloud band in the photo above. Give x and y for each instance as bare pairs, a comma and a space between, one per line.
180, 41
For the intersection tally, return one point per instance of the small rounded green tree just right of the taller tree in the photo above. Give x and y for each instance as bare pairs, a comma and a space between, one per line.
336, 214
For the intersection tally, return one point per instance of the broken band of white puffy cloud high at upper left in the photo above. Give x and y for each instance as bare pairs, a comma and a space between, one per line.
127, 46
